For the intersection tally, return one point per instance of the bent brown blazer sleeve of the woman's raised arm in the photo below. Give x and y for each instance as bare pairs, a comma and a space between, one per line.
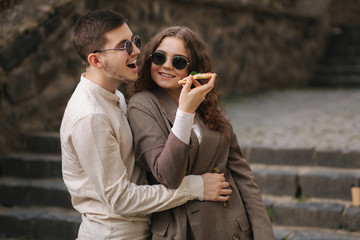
156, 148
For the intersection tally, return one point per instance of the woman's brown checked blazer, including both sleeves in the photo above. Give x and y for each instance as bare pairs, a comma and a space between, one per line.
167, 160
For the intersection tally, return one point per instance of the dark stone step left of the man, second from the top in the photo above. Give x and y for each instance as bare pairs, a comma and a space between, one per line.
29, 165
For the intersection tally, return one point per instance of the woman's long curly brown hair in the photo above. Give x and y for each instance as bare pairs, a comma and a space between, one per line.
200, 62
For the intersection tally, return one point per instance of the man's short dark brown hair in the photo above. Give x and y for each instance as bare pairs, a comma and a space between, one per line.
87, 35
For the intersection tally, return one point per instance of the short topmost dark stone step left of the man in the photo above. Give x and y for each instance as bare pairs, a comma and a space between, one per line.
42, 142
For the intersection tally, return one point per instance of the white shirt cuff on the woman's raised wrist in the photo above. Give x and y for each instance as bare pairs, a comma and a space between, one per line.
183, 125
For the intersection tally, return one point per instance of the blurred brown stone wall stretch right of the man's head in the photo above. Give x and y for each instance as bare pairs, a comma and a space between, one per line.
254, 48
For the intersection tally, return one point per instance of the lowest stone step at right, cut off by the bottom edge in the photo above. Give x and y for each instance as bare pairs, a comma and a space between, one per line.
294, 233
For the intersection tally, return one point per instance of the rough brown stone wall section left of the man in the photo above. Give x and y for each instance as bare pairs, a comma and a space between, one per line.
38, 66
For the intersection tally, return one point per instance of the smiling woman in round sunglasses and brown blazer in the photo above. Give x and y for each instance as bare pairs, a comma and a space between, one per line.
211, 146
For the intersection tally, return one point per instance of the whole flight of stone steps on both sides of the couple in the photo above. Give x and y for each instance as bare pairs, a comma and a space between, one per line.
299, 174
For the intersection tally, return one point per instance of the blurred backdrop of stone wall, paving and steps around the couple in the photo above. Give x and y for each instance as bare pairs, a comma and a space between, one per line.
288, 73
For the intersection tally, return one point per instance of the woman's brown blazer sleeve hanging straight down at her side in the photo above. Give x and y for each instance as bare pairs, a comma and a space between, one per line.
250, 193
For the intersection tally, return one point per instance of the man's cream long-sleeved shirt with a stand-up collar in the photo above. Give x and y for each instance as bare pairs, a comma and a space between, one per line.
100, 173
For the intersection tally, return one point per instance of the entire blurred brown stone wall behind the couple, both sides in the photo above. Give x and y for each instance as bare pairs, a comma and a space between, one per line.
255, 47
